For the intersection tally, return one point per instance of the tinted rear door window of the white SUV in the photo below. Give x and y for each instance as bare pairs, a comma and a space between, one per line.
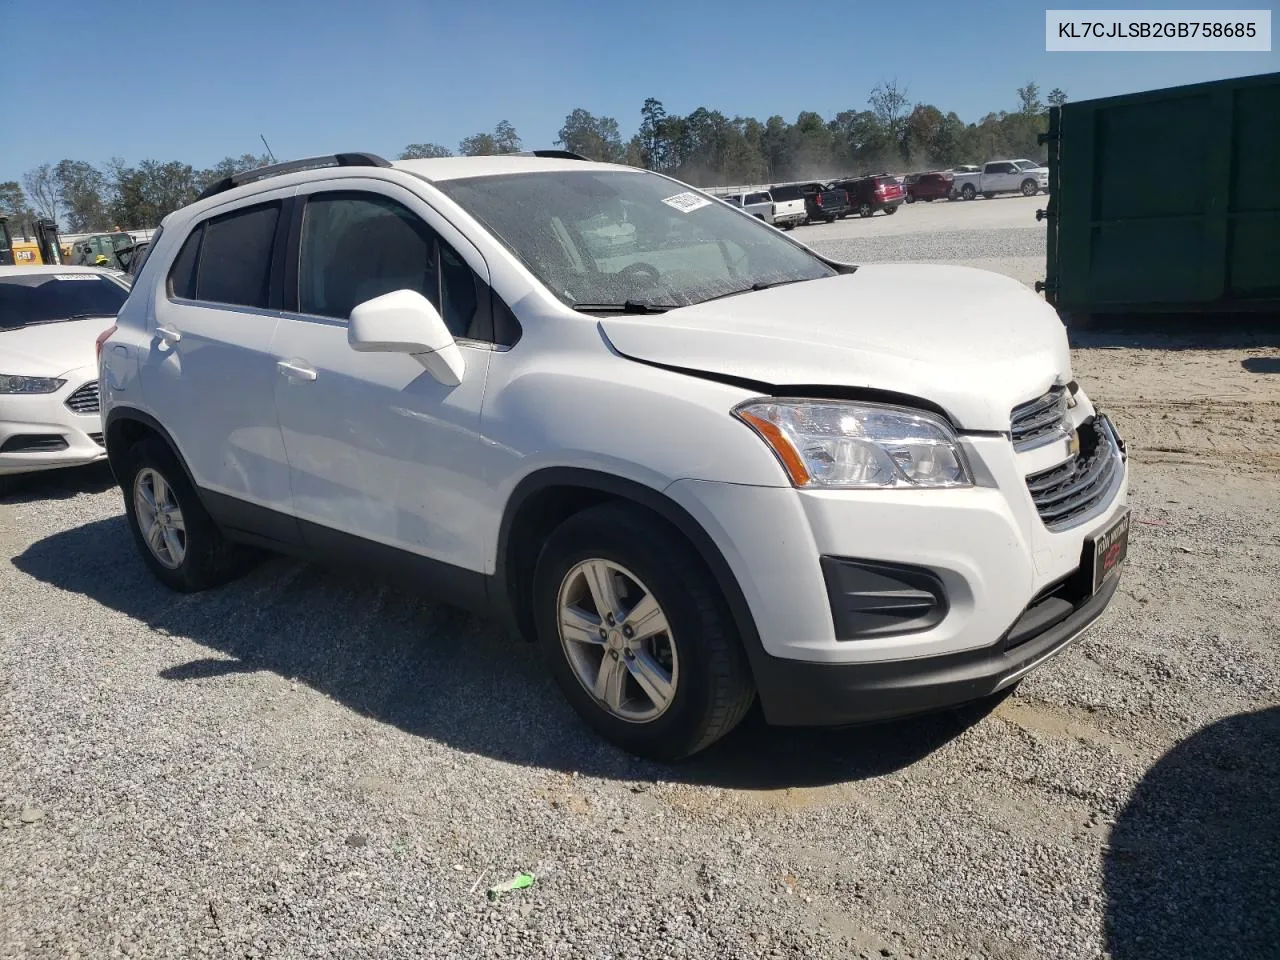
236, 258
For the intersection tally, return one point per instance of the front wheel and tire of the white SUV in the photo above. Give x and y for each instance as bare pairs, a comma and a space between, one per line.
669, 676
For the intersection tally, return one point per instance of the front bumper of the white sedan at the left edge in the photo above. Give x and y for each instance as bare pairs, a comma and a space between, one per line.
42, 432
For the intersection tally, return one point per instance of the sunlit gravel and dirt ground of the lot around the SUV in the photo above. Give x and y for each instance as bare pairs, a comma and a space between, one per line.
307, 764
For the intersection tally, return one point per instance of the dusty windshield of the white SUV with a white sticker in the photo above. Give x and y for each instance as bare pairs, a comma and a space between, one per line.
607, 239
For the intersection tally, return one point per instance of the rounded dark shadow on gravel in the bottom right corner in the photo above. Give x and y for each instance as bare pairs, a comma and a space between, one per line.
1194, 866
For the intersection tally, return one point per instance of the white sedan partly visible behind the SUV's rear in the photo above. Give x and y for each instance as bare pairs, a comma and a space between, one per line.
51, 319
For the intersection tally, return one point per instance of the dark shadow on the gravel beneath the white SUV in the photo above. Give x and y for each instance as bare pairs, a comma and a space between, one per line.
437, 673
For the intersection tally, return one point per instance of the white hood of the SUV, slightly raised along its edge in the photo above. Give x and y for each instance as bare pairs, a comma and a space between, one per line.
972, 342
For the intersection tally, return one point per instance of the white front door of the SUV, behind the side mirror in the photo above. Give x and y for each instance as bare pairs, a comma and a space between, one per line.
377, 447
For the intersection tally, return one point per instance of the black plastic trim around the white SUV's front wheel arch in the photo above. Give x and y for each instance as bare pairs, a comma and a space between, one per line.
546, 499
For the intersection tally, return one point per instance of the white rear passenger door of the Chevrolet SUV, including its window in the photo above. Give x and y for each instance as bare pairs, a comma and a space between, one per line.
208, 373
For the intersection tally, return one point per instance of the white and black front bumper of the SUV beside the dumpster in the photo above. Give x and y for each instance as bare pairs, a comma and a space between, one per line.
985, 551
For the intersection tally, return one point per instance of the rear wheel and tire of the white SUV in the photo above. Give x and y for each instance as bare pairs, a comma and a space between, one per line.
177, 538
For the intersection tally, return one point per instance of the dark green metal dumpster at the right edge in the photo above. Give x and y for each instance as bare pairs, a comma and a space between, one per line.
1167, 202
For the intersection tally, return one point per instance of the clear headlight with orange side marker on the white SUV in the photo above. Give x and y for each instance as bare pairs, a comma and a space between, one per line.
839, 445
